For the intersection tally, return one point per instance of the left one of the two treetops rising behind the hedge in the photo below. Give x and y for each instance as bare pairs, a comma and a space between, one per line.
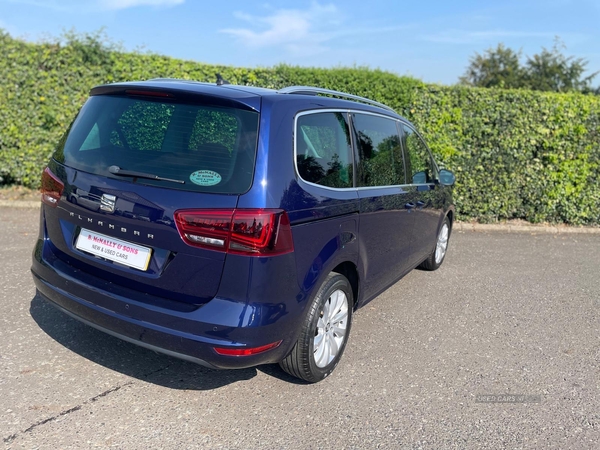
499, 67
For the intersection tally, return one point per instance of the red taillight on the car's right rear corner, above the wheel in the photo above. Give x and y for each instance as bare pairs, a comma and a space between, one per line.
255, 232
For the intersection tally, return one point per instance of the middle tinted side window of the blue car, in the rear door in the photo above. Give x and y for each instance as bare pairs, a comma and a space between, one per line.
379, 151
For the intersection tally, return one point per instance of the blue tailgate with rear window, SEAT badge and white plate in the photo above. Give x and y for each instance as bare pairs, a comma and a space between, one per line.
129, 161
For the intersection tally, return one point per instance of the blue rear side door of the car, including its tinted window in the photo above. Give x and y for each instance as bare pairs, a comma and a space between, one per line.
386, 219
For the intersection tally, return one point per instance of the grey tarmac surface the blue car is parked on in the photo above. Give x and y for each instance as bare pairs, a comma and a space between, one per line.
500, 348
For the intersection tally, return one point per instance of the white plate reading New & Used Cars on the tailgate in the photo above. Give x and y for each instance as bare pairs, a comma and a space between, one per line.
116, 250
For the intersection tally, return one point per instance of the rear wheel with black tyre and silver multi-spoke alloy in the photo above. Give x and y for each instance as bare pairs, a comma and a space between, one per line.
324, 332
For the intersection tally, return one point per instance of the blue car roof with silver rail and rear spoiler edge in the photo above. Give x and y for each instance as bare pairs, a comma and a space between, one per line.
247, 95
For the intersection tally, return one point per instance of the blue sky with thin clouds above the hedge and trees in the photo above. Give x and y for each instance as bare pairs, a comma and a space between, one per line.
431, 40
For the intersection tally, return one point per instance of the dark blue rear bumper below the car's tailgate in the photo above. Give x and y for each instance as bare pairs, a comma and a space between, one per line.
189, 334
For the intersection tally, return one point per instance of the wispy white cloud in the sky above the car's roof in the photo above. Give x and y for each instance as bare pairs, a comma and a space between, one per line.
302, 32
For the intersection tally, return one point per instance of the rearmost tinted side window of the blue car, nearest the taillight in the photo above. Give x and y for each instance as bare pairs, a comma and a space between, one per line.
323, 150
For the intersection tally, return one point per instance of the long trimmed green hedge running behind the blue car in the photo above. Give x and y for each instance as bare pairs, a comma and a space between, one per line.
517, 154
